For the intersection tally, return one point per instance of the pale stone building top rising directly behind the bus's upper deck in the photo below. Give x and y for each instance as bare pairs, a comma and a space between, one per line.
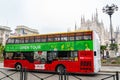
24, 30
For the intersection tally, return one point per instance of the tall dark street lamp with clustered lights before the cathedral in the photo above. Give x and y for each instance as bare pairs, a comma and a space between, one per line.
110, 10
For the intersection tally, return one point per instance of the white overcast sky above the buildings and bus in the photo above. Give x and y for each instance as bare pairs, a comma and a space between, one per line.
54, 15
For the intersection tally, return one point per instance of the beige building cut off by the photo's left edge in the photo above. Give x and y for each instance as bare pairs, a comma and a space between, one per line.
4, 34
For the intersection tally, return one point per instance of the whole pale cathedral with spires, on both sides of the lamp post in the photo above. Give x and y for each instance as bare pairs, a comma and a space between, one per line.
98, 26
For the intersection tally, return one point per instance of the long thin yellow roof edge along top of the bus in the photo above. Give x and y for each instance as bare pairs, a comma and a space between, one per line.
30, 35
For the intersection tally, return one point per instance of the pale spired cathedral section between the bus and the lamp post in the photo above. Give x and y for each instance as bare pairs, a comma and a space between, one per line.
96, 25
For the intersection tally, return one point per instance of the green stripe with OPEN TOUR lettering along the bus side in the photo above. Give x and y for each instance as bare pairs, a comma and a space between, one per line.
51, 46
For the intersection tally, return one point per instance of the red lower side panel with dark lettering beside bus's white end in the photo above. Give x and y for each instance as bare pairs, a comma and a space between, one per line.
86, 61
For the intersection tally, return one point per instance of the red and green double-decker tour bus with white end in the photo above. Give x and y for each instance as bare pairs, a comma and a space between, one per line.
75, 52
